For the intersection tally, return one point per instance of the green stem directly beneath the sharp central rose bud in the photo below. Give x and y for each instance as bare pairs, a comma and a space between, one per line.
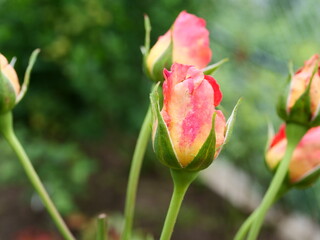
182, 181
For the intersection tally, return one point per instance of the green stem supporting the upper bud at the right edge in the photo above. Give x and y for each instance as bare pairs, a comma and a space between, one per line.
294, 134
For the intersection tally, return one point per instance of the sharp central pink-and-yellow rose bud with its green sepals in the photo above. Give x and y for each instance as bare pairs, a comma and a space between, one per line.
189, 132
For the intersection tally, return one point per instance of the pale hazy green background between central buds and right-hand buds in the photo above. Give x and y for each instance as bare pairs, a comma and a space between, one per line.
259, 38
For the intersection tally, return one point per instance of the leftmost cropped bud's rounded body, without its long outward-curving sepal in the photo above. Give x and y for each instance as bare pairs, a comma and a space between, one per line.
9, 85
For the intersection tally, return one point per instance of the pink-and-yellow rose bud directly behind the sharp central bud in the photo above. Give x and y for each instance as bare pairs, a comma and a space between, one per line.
186, 42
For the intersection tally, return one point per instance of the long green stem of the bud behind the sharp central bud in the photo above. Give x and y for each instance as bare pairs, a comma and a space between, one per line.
134, 174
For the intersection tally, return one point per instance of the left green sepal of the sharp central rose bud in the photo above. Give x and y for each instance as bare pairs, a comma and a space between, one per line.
162, 144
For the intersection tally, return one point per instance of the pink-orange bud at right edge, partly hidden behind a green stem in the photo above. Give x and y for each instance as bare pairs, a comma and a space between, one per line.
304, 167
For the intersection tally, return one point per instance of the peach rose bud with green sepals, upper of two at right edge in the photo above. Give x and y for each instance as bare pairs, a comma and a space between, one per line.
302, 104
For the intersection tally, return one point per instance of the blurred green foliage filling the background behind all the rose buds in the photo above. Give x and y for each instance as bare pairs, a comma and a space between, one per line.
88, 81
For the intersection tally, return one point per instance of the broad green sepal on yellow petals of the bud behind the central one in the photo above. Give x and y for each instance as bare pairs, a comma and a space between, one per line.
163, 61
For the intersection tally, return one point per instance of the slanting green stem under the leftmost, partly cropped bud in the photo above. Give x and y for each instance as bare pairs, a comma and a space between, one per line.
8, 132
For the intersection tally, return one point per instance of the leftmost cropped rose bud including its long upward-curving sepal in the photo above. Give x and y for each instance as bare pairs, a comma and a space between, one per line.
10, 91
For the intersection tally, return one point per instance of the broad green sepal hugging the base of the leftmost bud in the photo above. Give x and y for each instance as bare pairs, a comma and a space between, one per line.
7, 94
